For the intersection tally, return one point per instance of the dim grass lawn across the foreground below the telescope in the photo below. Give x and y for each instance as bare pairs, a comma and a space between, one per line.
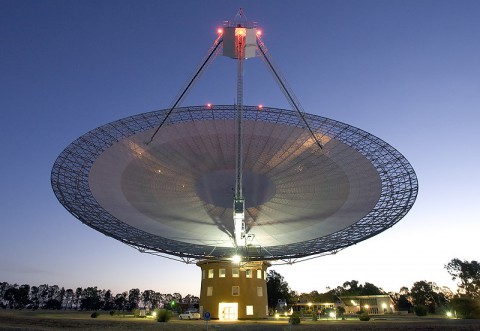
26, 320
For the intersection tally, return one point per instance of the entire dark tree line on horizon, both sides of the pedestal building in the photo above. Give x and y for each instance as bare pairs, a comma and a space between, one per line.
422, 297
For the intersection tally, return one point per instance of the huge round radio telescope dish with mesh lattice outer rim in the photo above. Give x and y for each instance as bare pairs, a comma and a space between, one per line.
173, 197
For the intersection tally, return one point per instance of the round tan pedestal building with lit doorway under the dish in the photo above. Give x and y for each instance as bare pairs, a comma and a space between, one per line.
233, 291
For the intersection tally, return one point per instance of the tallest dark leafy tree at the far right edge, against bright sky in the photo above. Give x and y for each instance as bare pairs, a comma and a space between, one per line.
468, 273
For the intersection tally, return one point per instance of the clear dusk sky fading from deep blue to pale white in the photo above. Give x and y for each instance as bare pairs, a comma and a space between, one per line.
405, 71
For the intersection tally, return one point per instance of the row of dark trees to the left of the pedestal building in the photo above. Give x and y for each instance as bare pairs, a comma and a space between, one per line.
14, 296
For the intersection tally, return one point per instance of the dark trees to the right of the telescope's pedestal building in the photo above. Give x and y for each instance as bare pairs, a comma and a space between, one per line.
422, 298
